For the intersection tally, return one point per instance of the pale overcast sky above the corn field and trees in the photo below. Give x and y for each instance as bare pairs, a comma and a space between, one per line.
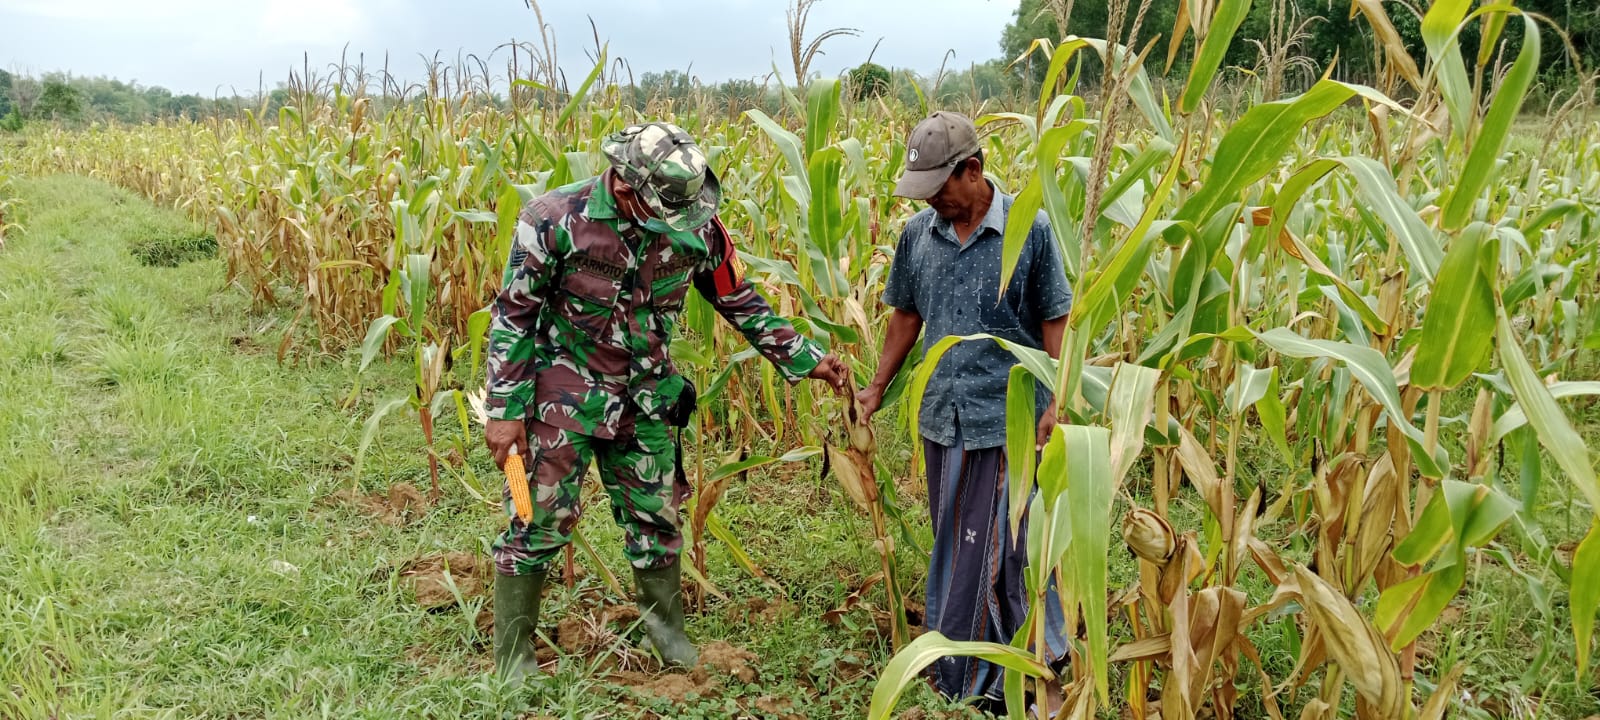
215, 47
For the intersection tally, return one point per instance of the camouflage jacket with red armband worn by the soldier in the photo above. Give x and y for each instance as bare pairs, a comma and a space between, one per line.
590, 303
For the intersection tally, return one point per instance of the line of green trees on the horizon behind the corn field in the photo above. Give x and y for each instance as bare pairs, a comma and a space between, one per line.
1282, 42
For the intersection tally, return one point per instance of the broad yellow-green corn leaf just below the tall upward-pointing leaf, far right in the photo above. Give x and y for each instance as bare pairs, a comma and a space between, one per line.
1458, 330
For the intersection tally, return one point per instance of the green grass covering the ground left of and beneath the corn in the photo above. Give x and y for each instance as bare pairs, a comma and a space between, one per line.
169, 546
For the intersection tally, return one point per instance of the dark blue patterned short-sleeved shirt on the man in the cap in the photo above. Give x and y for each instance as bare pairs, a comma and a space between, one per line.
956, 289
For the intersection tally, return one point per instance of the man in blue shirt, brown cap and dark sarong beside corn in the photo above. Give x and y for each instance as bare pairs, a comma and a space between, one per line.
946, 279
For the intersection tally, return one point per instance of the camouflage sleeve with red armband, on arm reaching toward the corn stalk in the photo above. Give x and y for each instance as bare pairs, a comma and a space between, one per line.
721, 281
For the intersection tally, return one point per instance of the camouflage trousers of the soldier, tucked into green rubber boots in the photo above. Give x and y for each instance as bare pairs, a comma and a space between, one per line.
638, 473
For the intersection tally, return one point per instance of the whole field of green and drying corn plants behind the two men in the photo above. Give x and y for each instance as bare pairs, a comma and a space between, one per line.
1321, 354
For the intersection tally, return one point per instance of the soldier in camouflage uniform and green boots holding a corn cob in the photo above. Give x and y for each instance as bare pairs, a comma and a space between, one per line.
578, 369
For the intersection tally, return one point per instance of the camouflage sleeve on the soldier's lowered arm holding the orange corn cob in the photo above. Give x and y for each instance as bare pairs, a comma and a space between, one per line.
513, 319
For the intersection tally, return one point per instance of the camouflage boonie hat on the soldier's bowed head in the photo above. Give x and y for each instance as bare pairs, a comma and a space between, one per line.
668, 170
